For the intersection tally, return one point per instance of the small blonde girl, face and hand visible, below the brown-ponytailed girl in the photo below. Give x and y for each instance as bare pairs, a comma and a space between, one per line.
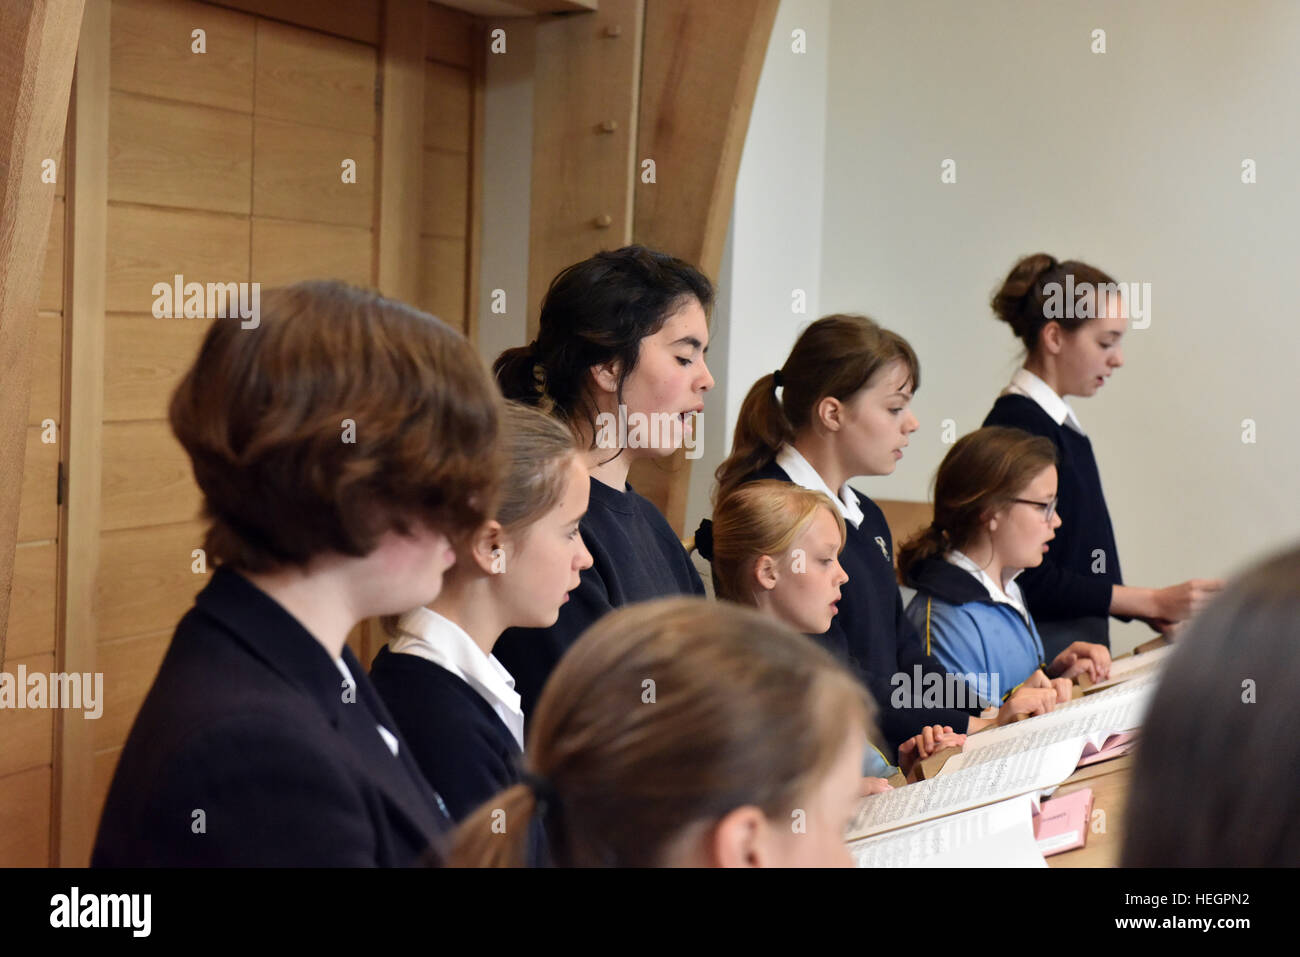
775, 547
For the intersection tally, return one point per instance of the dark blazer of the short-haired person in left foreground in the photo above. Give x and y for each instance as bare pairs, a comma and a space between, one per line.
252, 751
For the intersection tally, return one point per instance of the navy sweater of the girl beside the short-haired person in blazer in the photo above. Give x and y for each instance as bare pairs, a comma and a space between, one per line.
462, 746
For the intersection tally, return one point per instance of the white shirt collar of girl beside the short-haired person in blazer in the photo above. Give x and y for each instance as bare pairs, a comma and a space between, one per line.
443, 642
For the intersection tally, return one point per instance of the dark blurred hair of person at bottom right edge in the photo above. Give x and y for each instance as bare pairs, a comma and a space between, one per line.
1215, 777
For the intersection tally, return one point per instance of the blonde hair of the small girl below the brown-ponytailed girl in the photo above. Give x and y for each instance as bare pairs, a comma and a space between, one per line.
761, 518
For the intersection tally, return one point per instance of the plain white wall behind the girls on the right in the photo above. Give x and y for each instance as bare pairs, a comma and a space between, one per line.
1130, 161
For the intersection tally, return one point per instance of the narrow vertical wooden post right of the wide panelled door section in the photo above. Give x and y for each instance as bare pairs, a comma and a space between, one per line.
401, 149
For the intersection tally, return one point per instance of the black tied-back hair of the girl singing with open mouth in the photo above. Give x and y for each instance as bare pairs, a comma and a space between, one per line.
597, 311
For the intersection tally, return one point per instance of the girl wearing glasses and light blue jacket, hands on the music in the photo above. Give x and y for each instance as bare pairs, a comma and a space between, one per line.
995, 514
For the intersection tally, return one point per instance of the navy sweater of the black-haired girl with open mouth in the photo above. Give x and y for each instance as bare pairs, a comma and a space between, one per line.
635, 557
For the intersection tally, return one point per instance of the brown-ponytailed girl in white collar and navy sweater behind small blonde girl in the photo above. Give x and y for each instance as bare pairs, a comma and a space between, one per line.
840, 408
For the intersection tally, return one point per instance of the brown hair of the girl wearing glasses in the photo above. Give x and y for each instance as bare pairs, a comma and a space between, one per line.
982, 473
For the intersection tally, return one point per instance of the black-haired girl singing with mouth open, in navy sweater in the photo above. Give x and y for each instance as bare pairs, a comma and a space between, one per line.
621, 344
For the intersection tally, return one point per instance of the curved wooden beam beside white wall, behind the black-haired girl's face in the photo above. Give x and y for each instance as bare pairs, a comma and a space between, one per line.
700, 76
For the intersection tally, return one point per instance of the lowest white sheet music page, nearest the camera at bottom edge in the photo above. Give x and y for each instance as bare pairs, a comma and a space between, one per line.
999, 835
